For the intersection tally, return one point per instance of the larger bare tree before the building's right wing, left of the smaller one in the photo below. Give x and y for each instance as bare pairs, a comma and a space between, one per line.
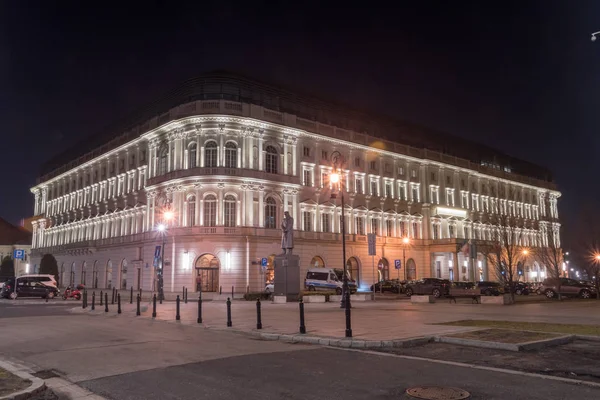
504, 252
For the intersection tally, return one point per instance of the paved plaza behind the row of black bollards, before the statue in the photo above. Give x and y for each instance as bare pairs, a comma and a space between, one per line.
370, 320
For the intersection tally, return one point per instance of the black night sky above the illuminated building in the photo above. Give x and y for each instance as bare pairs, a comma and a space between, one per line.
520, 76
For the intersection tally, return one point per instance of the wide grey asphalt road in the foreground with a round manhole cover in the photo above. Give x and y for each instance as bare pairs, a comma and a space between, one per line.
124, 357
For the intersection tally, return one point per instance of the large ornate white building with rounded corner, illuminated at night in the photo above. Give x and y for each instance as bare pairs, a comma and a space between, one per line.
226, 156
